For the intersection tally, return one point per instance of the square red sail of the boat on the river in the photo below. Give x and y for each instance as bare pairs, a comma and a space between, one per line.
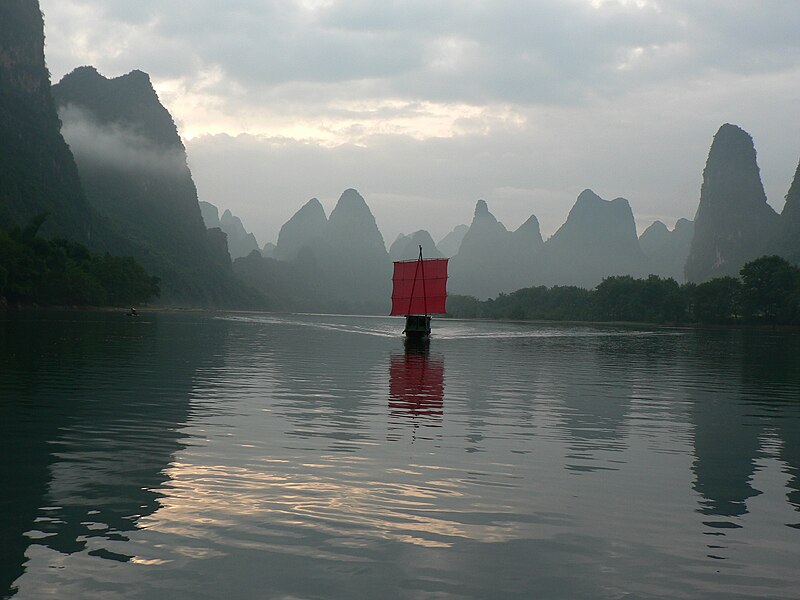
420, 287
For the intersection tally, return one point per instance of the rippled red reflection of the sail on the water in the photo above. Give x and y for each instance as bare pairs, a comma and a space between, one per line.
416, 384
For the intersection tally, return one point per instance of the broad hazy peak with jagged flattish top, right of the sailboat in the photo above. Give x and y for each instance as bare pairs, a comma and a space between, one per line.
597, 240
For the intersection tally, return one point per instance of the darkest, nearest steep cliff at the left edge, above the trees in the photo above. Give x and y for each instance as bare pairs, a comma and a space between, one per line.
37, 170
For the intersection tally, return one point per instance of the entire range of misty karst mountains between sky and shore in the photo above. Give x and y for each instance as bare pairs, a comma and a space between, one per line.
122, 185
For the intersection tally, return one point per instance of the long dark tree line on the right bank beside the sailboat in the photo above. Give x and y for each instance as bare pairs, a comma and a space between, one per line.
766, 292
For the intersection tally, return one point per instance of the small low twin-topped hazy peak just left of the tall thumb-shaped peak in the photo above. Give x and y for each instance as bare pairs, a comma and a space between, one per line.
666, 250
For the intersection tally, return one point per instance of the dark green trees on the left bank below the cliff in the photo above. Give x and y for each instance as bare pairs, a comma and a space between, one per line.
34, 270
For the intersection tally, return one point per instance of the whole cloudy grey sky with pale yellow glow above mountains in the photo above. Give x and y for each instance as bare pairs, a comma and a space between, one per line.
425, 106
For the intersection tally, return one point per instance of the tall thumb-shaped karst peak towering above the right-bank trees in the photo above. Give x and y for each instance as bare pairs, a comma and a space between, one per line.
734, 223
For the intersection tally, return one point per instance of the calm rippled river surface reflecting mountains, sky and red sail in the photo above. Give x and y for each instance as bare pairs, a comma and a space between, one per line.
268, 456
